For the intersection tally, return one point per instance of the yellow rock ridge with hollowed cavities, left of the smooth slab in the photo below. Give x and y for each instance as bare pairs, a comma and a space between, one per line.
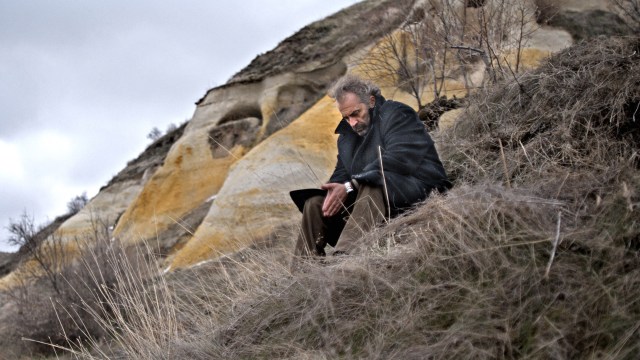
193, 172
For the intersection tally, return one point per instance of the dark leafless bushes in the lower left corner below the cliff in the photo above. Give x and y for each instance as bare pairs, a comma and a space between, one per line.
59, 288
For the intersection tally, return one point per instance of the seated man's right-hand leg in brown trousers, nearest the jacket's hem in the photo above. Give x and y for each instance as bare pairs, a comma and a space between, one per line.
368, 211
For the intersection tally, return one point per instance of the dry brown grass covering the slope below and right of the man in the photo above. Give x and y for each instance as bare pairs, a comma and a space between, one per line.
534, 254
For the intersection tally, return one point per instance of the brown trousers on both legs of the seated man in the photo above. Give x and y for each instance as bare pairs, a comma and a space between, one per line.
344, 231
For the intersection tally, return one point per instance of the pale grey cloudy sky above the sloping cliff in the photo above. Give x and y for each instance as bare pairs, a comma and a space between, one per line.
82, 83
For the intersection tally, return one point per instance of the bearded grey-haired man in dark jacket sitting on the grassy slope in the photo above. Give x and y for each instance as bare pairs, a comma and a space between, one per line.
377, 137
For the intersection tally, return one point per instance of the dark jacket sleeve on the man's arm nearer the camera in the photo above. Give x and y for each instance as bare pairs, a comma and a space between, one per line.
404, 144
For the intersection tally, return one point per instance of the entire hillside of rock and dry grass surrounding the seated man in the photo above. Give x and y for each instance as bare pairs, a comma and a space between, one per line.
533, 254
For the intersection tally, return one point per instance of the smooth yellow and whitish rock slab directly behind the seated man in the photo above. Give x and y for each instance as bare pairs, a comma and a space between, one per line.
254, 199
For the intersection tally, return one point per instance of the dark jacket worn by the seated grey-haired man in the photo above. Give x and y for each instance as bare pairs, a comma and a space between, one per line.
411, 165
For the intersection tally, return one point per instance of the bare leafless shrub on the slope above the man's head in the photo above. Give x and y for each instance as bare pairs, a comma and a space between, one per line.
443, 41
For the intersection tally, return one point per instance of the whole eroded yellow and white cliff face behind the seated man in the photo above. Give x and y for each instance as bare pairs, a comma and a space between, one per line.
221, 181
